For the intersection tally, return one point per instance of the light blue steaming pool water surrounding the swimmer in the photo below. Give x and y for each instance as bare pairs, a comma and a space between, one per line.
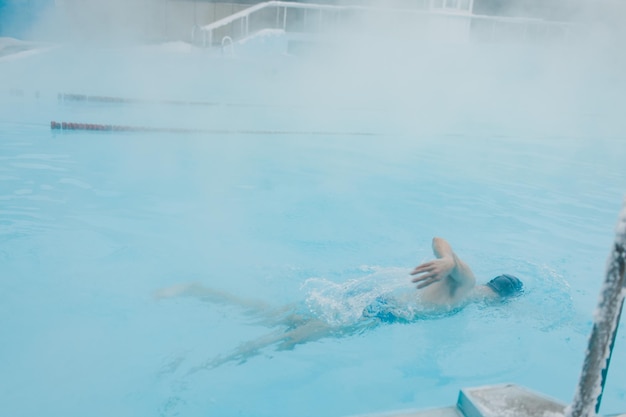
325, 179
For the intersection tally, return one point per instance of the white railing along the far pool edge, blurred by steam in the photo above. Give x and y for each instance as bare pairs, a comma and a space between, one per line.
312, 18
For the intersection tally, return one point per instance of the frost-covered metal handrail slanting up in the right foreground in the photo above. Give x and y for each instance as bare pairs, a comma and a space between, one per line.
588, 394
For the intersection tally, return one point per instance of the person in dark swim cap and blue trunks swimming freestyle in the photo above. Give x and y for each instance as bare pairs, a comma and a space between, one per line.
446, 284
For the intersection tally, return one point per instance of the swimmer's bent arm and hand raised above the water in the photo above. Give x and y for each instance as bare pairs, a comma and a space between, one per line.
446, 264
